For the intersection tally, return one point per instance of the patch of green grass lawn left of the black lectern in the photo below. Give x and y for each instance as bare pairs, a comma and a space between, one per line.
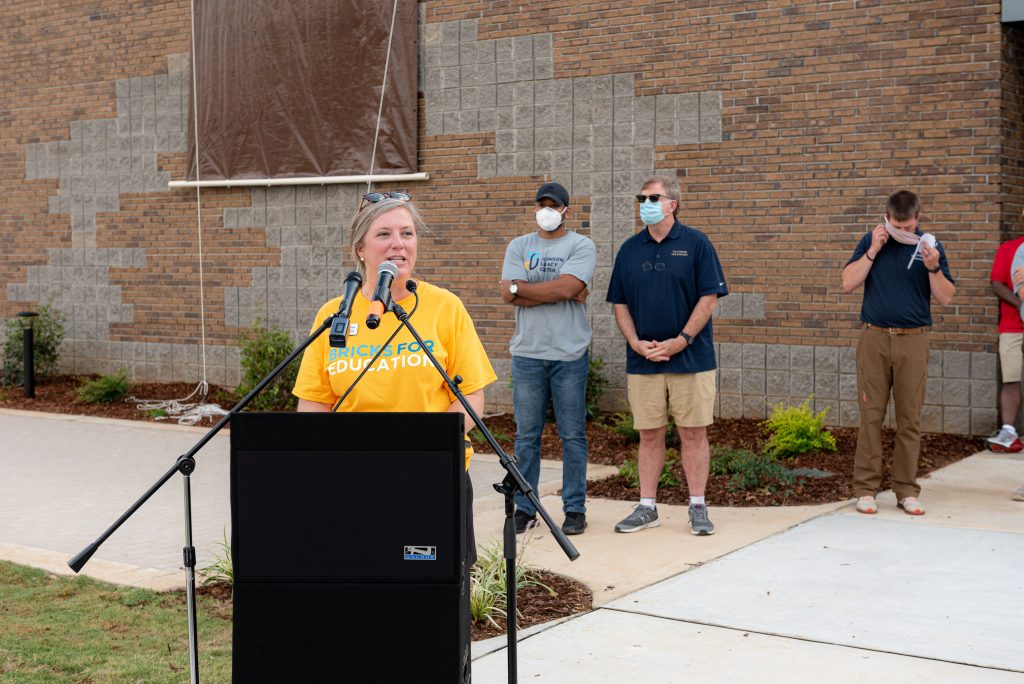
56, 629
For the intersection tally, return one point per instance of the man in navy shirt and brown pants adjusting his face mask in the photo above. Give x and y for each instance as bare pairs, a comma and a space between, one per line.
902, 270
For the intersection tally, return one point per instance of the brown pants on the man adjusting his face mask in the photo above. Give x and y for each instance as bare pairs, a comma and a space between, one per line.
898, 363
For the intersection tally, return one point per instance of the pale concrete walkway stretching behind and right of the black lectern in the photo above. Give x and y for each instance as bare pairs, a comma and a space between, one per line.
801, 593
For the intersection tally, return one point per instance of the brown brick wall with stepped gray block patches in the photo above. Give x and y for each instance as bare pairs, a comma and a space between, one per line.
787, 123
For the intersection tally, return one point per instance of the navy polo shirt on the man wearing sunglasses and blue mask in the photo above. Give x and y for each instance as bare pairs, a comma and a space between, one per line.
661, 283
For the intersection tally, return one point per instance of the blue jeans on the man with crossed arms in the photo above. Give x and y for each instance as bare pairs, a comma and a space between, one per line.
565, 383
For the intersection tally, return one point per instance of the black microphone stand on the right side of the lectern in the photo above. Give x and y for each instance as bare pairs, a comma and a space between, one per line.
515, 482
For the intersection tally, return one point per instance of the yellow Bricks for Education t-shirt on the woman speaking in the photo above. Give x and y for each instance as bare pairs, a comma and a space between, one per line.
403, 379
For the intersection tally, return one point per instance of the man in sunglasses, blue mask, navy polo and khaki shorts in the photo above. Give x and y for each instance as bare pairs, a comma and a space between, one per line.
665, 285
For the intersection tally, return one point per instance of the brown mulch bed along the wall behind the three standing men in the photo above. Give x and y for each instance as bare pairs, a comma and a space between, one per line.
611, 448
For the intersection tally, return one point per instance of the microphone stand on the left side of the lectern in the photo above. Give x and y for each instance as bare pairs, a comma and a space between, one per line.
186, 465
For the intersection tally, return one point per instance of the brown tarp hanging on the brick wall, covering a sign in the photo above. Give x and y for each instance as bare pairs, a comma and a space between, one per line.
292, 90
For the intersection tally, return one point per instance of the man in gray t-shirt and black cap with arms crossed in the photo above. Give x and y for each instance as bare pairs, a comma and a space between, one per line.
546, 278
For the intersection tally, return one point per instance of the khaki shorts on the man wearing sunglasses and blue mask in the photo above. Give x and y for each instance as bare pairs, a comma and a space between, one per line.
690, 396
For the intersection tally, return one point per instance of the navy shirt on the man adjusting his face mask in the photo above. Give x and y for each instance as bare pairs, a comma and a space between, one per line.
894, 295
